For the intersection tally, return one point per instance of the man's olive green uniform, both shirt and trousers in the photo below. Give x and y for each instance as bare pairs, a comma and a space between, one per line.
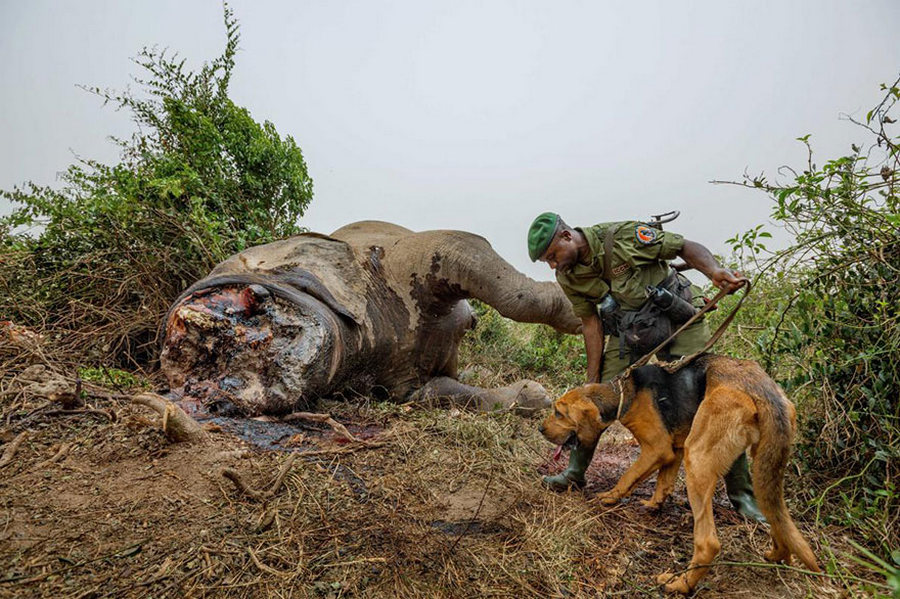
640, 256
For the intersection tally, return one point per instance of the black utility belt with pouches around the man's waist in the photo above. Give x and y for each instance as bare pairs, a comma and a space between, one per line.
668, 305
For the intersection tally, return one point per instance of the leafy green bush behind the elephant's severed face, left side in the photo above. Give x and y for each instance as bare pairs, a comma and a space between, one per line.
99, 260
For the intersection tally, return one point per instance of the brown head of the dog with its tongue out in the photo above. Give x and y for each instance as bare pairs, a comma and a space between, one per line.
575, 419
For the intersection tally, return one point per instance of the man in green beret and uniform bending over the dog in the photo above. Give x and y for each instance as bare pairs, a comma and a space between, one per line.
638, 259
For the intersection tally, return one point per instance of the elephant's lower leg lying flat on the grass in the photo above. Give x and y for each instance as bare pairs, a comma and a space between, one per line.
524, 397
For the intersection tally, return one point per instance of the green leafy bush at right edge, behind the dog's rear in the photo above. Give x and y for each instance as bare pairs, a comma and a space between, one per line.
832, 325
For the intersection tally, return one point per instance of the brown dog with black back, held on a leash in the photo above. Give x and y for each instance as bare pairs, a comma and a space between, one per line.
707, 414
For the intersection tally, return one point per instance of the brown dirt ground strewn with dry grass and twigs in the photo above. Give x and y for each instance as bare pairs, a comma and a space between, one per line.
430, 503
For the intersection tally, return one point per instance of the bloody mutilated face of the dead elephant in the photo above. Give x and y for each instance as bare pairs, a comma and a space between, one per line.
245, 349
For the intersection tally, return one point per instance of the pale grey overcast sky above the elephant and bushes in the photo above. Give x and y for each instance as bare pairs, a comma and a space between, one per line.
479, 115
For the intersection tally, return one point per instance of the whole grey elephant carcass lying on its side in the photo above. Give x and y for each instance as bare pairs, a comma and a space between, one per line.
372, 308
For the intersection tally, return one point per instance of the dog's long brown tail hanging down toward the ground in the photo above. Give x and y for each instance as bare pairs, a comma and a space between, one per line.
777, 422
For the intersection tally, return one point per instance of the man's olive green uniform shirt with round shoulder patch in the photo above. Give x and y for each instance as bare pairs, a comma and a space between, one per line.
639, 259
